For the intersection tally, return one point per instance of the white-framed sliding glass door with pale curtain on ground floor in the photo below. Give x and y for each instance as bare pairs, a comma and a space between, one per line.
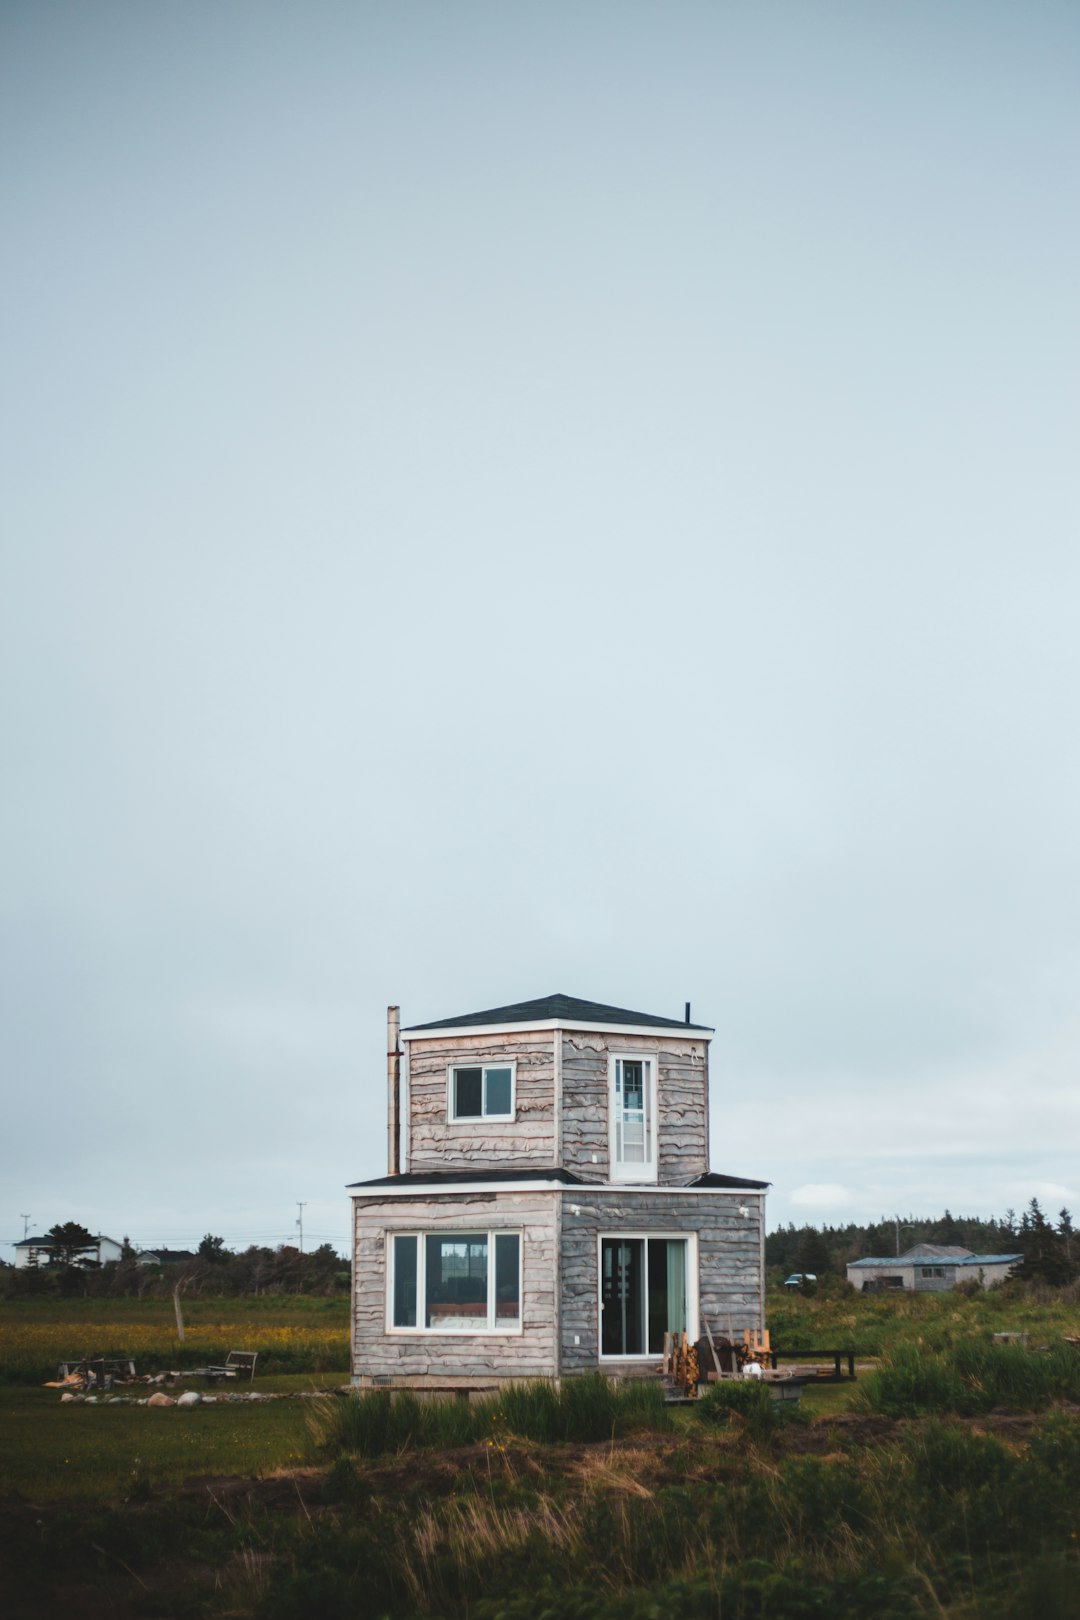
648, 1287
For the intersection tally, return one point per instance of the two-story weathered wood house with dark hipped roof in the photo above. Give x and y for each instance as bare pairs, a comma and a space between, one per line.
551, 1206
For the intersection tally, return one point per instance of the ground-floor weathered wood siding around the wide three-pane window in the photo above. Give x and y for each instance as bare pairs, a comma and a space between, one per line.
456, 1357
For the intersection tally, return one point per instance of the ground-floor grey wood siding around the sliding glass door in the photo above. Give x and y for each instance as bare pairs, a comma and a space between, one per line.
731, 1285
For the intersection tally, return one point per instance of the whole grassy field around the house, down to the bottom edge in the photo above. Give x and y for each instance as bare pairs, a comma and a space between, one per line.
943, 1485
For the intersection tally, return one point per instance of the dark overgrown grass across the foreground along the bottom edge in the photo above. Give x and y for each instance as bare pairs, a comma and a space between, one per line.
937, 1520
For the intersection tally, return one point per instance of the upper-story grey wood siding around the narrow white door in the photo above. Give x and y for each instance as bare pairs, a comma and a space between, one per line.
682, 1099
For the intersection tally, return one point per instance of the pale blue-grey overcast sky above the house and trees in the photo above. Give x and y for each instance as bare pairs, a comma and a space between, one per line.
506, 500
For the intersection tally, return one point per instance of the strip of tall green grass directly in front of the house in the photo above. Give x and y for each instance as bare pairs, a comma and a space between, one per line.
383, 1423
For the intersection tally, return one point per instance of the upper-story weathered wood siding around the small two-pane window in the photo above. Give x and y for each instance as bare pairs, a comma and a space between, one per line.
529, 1140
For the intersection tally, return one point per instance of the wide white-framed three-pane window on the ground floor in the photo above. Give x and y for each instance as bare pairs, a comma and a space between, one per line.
454, 1282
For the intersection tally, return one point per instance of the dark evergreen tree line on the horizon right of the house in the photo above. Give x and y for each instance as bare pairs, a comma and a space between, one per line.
1052, 1251
